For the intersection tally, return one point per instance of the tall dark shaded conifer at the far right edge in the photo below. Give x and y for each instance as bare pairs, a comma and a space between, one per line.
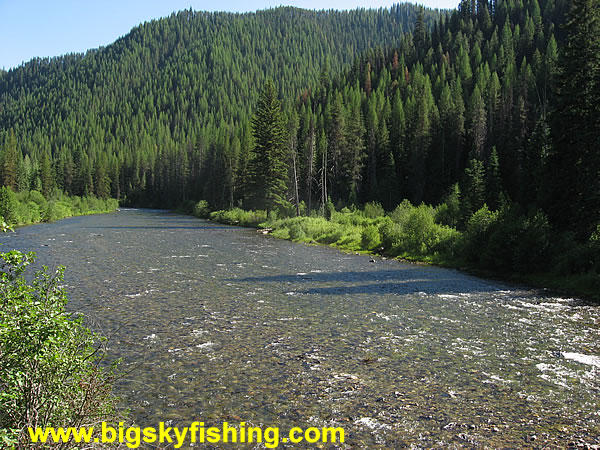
573, 177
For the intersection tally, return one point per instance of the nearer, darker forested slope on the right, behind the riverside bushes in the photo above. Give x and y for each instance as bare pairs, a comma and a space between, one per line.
473, 94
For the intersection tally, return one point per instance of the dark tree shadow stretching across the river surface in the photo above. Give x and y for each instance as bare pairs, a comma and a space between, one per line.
380, 282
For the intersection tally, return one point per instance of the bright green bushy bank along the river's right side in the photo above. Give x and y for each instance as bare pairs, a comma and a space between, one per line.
508, 244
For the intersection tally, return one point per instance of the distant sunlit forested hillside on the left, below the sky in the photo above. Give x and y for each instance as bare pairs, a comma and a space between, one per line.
163, 113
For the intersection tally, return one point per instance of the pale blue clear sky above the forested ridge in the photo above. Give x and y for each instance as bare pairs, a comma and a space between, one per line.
42, 28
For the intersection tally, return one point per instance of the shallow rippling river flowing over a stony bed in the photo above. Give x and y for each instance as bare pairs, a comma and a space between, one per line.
217, 323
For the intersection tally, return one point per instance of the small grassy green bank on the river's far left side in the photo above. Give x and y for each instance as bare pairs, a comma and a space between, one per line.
29, 207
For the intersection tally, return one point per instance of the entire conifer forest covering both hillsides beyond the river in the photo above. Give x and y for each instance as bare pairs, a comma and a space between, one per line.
488, 116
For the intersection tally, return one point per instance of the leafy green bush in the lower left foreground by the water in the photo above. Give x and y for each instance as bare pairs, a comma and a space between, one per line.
51, 363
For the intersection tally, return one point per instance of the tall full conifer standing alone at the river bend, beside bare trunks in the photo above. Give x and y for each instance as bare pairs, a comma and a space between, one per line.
268, 164
